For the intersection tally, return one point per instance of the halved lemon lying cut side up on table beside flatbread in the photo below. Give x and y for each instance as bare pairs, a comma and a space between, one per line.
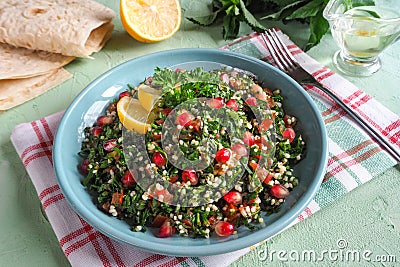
150, 21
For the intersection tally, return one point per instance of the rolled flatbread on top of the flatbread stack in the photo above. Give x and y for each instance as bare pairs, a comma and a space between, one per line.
69, 27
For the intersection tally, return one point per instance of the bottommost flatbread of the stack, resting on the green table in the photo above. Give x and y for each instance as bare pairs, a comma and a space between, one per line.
17, 91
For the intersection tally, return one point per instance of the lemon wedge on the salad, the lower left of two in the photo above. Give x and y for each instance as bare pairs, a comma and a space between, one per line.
132, 115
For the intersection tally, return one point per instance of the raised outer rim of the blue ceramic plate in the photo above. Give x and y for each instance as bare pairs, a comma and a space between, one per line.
211, 249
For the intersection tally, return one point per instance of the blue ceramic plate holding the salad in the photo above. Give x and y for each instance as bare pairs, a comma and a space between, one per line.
94, 98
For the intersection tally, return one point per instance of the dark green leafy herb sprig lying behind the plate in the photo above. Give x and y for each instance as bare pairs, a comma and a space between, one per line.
233, 12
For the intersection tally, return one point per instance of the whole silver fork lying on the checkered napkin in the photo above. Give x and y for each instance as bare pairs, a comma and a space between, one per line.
287, 63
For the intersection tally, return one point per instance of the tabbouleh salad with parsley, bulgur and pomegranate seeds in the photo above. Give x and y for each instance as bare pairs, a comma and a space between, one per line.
267, 149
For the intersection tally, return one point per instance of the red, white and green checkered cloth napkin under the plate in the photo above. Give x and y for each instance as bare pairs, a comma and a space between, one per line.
354, 159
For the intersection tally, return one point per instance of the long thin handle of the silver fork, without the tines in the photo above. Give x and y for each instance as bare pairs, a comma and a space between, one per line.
371, 131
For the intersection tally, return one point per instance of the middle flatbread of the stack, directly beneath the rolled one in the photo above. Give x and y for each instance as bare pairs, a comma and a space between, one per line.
18, 62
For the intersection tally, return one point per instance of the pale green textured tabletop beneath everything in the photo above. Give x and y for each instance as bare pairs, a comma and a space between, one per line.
368, 218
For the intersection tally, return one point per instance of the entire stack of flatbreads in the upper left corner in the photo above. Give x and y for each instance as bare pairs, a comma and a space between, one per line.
39, 37
